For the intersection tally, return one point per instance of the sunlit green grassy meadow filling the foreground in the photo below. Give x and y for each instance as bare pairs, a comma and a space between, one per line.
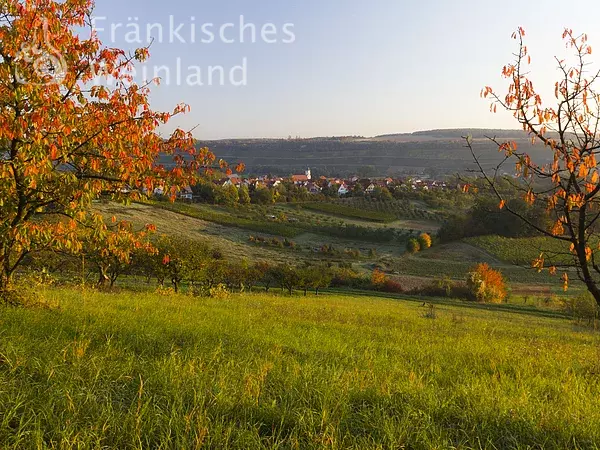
145, 371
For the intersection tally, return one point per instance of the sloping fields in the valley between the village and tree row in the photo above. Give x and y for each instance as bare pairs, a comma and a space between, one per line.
229, 230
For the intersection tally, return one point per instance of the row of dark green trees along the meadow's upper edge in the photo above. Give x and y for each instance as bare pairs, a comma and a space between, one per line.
181, 264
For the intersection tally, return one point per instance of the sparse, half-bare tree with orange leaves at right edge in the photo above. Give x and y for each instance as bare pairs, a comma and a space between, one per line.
570, 130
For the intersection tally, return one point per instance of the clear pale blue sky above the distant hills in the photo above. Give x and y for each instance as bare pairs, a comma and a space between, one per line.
356, 67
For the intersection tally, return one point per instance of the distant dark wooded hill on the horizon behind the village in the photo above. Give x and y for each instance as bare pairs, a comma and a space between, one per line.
436, 152
